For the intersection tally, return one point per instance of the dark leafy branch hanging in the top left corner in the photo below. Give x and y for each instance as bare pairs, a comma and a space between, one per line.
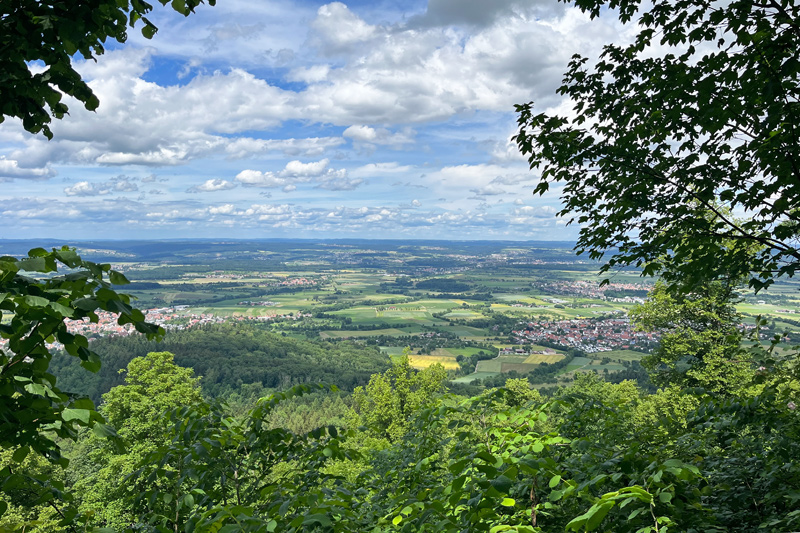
38, 40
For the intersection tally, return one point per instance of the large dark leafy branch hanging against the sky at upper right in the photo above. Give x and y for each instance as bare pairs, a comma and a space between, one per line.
665, 148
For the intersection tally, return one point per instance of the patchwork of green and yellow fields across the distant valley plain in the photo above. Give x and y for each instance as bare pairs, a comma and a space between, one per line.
404, 303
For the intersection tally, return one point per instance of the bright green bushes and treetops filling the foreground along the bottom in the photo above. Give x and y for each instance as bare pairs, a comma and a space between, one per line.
597, 456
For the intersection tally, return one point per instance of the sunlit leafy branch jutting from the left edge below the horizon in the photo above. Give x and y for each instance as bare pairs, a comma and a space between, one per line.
38, 303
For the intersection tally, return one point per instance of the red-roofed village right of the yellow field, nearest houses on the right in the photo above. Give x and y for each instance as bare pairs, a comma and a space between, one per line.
590, 336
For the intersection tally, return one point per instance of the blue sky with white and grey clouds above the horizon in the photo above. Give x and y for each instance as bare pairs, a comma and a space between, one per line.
299, 119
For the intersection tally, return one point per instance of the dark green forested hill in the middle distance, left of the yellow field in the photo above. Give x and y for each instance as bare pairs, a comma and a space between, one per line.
228, 356
